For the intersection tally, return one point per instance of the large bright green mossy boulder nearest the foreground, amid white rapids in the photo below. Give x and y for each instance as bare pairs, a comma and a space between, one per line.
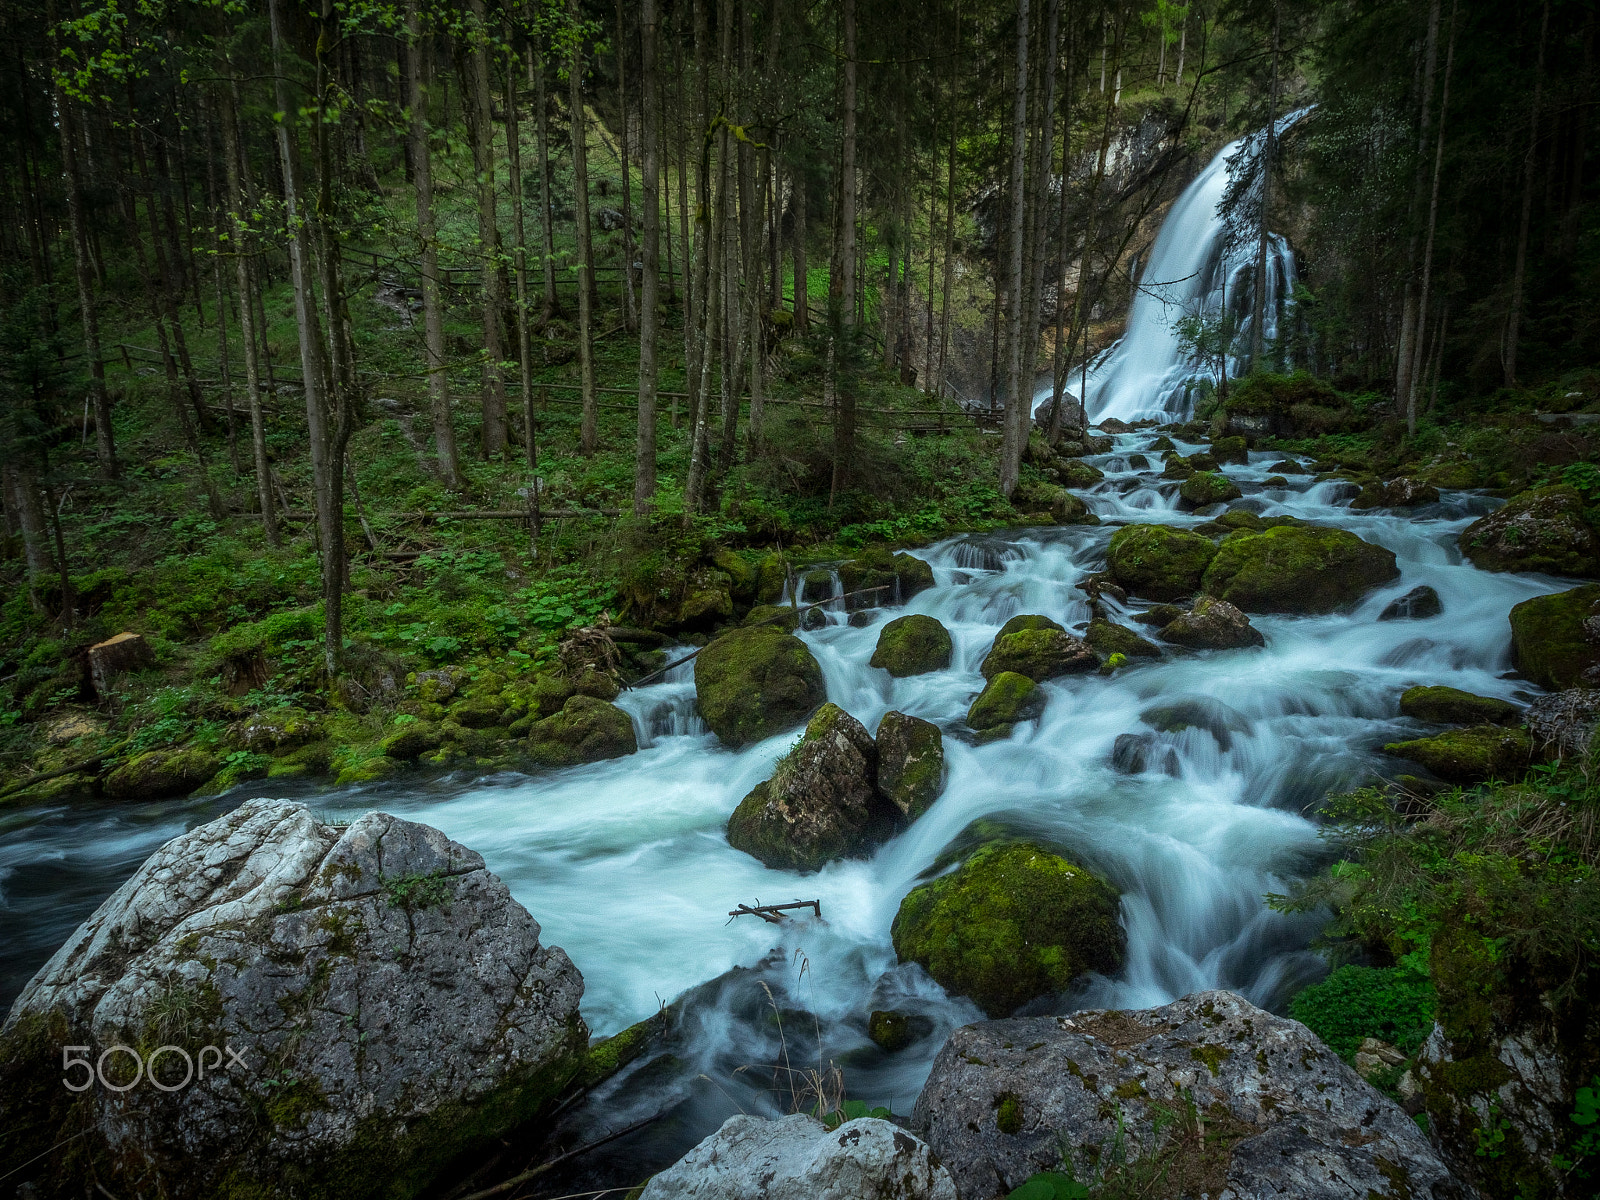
1010, 926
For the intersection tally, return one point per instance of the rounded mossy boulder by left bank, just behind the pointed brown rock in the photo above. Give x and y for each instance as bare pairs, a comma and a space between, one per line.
756, 682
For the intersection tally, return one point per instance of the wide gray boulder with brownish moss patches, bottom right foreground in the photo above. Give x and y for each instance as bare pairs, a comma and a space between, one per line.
1236, 1102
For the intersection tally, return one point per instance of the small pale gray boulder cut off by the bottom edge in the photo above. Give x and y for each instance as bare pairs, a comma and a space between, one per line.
798, 1159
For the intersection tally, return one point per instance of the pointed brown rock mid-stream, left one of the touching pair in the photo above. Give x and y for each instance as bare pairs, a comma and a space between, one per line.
822, 804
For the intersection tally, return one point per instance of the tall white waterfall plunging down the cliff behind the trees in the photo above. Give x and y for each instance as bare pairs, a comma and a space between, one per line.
1196, 270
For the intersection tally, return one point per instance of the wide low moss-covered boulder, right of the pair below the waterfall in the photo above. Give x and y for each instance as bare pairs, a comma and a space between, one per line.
1297, 569
